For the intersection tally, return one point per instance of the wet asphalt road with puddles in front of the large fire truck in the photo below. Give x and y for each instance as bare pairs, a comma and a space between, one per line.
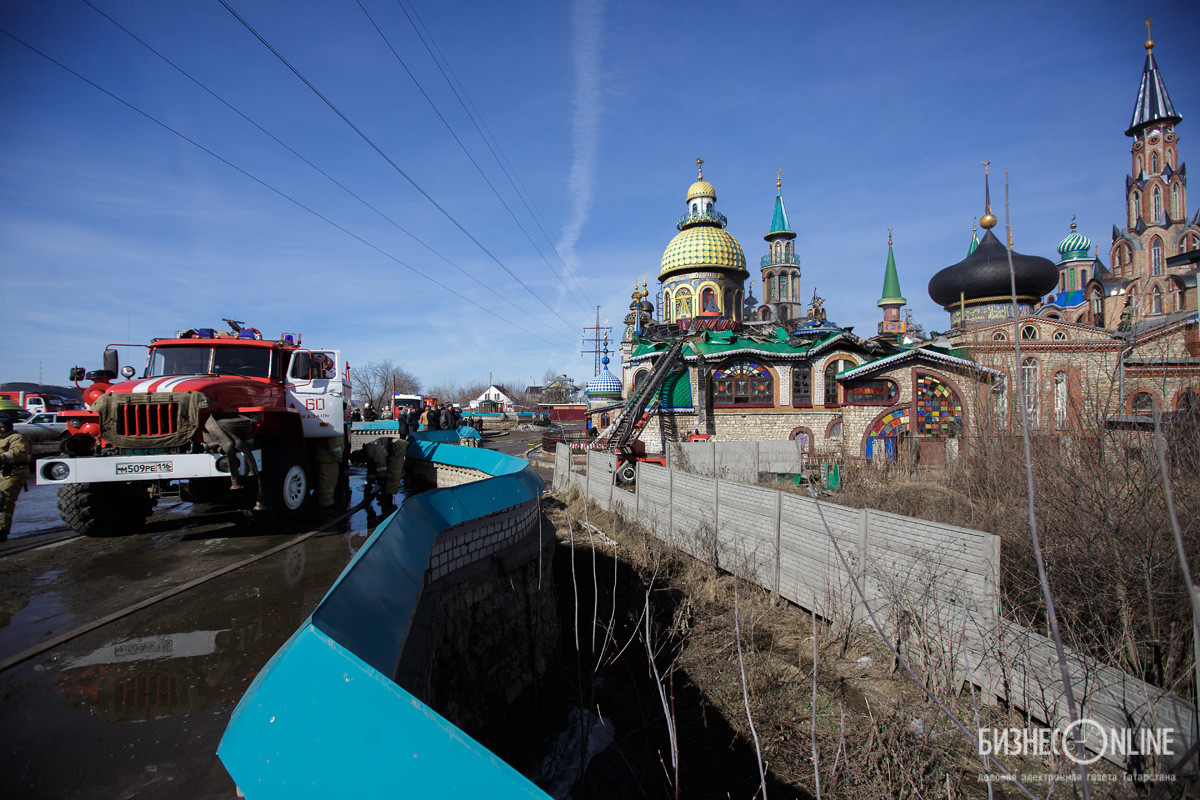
136, 708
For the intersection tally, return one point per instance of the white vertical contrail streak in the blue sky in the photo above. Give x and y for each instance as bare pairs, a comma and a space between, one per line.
587, 21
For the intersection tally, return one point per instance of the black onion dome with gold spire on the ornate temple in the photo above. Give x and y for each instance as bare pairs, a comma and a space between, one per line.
985, 274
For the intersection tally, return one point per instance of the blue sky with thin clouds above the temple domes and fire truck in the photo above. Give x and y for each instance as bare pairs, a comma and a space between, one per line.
116, 230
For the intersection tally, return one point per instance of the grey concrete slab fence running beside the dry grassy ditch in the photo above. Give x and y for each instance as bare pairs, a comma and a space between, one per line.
934, 587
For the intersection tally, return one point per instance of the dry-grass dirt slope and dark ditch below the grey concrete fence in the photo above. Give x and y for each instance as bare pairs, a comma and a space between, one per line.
722, 646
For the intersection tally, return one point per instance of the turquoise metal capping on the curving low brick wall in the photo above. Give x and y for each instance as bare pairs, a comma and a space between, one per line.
325, 718
